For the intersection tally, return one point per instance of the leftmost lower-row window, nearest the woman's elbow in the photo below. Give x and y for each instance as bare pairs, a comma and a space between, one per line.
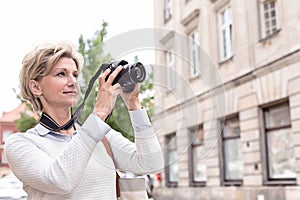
172, 167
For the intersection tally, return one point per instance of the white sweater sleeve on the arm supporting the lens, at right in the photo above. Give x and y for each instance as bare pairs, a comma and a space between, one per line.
144, 156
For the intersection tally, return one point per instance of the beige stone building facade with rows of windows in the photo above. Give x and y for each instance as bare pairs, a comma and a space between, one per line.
227, 99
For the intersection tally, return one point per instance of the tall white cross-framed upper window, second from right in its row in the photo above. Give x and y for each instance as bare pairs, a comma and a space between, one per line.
225, 33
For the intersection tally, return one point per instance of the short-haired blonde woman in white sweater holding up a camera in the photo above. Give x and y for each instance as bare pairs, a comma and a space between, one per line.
78, 162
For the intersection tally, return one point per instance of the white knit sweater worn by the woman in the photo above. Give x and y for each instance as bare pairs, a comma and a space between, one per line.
53, 167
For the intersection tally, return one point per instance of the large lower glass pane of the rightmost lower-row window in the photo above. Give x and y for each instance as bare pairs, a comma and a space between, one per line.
281, 154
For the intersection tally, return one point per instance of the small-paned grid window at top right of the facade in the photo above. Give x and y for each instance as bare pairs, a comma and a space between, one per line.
269, 19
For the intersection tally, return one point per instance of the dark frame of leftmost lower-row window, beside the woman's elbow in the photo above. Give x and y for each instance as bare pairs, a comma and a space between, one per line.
168, 138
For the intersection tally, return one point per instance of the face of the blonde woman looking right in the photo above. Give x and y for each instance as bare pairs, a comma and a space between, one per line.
60, 89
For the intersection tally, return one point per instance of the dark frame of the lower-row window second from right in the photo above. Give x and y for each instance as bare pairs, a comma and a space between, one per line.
224, 181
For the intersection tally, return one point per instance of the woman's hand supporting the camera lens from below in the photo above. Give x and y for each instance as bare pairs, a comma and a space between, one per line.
131, 99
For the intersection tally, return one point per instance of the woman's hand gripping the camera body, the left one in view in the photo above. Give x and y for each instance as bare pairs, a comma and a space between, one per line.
107, 93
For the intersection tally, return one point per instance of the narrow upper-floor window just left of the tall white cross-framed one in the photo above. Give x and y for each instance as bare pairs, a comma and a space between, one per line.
194, 49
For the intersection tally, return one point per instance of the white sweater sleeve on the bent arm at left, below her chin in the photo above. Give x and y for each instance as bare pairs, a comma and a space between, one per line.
35, 168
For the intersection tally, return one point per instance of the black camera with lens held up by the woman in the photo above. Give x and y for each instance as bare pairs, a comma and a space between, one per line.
129, 76
